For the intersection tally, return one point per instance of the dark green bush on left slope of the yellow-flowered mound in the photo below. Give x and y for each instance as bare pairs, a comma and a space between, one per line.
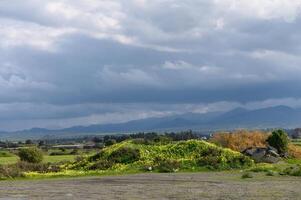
125, 155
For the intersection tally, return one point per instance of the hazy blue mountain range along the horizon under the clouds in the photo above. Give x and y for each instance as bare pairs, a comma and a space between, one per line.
271, 117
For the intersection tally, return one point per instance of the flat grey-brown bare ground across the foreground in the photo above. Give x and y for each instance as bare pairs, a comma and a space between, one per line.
157, 186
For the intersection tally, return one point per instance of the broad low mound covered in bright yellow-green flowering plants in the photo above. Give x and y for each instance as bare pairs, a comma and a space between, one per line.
192, 155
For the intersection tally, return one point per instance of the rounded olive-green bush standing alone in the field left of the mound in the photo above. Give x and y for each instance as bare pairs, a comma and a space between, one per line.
31, 155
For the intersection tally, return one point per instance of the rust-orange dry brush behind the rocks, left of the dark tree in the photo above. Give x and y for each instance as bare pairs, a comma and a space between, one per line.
240, 140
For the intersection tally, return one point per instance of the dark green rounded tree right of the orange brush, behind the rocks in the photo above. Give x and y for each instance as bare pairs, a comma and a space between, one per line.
279, 140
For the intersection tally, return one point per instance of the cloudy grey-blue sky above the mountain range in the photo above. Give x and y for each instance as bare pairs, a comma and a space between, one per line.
82, 62
